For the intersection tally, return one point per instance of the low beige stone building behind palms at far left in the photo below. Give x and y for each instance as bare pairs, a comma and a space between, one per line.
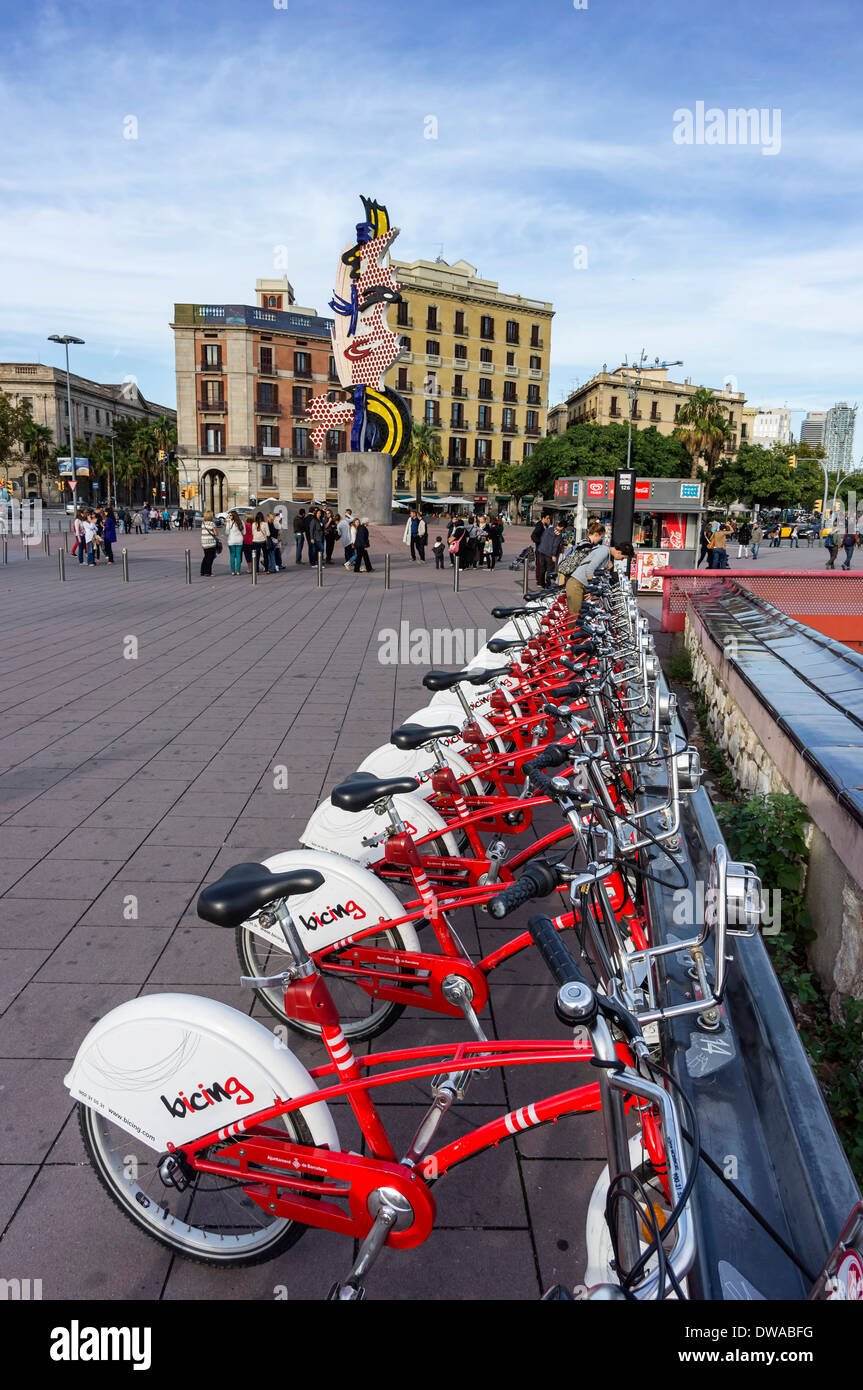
95, 411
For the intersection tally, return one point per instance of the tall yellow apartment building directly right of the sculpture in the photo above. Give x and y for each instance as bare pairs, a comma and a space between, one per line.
476, 366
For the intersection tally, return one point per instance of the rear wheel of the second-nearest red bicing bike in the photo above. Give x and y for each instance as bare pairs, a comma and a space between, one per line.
362, 1017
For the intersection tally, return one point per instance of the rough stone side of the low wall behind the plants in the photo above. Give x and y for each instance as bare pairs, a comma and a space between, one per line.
764, 761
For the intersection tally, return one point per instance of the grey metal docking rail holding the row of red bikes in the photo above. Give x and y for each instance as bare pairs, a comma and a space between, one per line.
761, 1113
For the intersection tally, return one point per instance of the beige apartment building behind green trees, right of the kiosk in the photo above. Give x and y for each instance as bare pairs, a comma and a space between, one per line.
604, 401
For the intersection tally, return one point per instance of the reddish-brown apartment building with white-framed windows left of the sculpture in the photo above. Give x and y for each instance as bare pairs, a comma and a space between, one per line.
245, 375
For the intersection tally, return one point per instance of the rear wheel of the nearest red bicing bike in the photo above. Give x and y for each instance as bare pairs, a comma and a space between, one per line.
213, 1221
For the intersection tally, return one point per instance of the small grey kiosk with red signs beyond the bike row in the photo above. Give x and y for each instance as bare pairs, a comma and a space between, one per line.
665, 529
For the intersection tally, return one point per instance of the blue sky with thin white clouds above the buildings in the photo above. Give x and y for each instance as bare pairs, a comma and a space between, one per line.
259, 129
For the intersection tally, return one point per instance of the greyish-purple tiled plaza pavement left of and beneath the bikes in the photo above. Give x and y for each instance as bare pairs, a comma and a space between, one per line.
148, 775
